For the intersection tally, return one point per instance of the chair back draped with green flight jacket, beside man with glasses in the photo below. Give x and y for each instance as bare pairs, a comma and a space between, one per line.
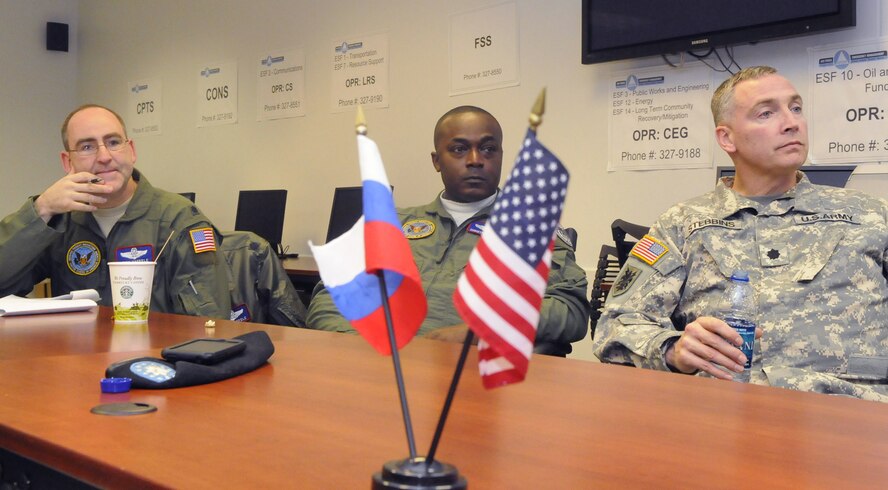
260, 290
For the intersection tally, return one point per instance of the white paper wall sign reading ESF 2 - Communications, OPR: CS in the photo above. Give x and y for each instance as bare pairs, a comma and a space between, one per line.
281, 85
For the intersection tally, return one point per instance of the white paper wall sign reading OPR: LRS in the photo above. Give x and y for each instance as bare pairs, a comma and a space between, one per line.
360, 73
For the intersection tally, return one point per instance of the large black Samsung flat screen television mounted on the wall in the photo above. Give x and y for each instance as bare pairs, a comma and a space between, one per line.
622, 29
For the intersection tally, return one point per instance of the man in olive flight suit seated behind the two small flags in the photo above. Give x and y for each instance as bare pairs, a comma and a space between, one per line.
442, 234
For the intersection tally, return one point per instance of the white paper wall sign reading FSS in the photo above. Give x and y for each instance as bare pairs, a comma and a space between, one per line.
484, 49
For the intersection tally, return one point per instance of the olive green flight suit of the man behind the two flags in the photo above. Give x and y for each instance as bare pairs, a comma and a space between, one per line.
442, 251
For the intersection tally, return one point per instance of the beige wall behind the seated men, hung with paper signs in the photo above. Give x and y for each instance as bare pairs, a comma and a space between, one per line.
125, 40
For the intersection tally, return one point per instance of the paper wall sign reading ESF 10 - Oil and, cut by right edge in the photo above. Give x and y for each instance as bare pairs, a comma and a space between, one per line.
847, 117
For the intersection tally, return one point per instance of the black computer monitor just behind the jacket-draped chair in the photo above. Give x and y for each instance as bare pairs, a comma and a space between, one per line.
262, 212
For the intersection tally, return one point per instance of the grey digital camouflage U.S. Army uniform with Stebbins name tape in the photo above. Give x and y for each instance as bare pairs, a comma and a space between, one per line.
817, 258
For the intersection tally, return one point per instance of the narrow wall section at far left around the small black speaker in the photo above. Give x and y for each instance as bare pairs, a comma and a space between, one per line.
37, 89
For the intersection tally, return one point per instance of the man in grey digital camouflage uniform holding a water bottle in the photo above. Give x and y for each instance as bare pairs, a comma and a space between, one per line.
817, 257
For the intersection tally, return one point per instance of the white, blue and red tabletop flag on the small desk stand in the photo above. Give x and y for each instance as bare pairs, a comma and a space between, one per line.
348, 264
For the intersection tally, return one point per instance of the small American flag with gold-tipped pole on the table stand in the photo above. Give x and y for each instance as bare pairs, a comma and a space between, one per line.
500, 292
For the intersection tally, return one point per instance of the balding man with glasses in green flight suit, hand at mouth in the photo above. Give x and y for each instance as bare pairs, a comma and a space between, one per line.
104, 210
